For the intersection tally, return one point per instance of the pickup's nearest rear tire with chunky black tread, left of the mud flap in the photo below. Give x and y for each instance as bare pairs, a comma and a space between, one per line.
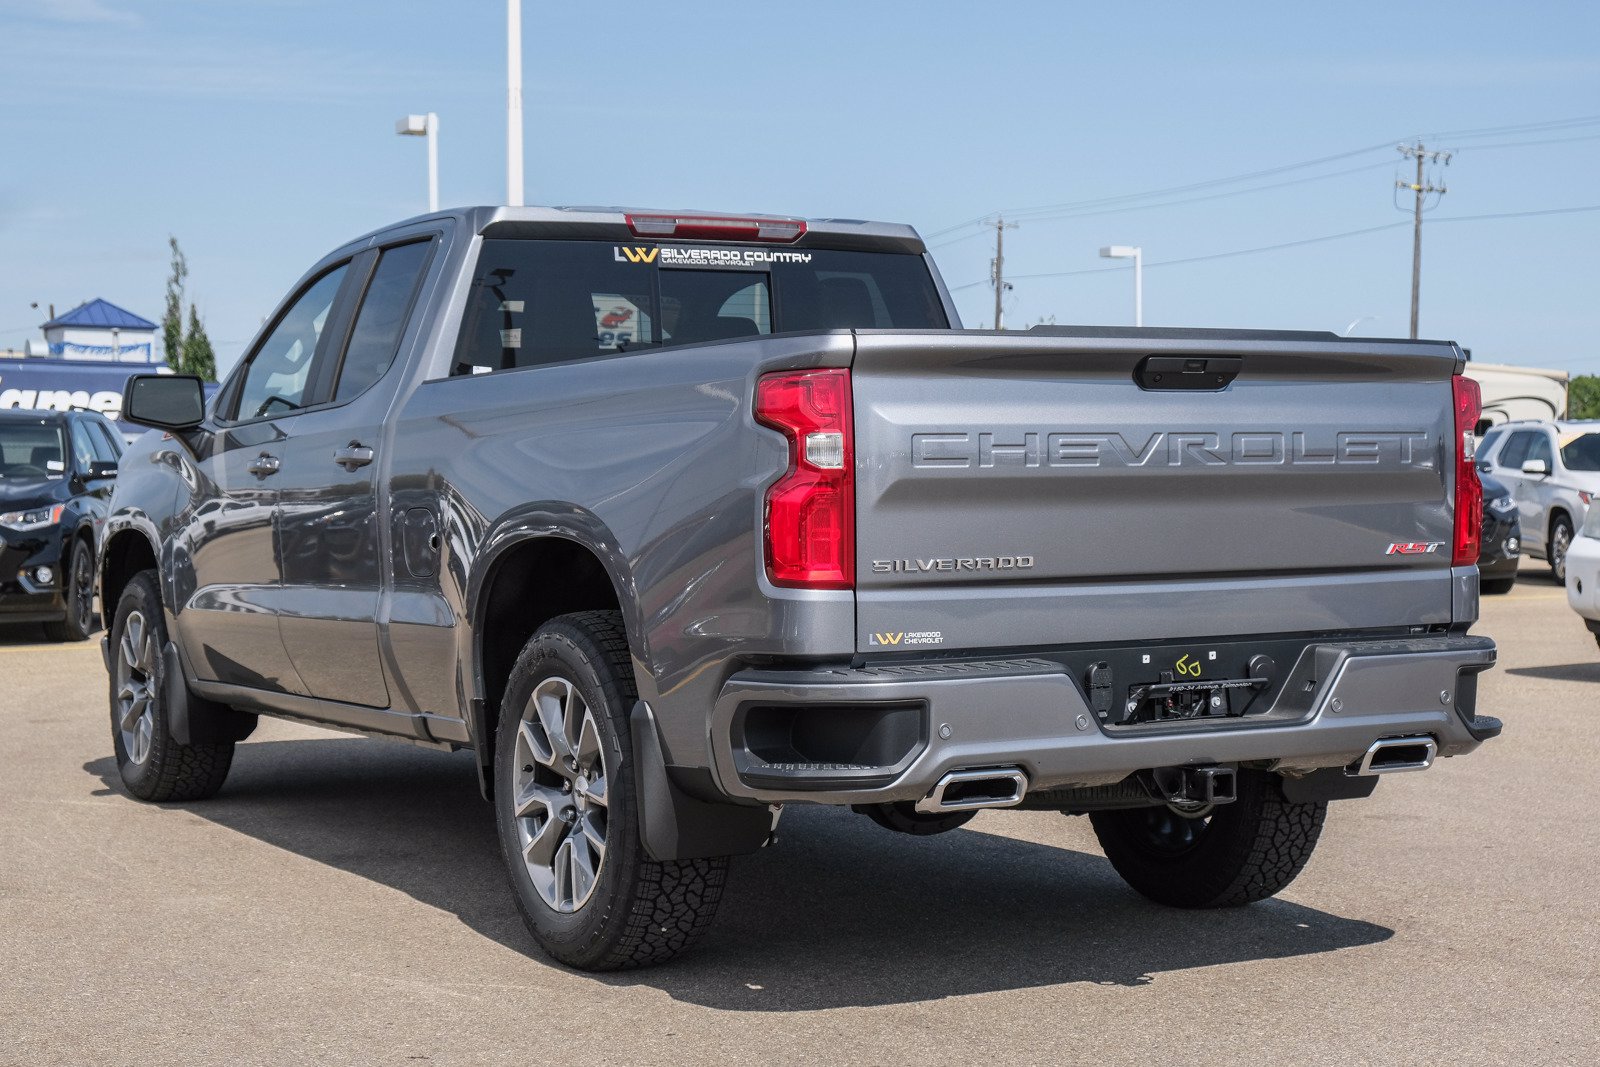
636, 911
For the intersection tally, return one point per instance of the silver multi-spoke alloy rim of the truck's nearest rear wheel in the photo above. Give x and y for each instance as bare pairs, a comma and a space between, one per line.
561, 794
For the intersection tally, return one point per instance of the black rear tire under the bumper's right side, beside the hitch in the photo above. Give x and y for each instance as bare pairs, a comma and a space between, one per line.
1244, 852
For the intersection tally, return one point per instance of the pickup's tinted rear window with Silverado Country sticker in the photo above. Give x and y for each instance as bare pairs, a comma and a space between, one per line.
550, 302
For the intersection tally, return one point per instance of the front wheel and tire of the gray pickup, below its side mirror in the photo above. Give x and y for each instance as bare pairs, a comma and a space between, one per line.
154, 767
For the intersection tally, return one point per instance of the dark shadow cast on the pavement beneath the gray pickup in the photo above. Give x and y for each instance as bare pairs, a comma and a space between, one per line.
838, 914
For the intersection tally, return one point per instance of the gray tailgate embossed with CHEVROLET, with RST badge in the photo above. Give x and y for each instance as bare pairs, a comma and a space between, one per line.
1026, 490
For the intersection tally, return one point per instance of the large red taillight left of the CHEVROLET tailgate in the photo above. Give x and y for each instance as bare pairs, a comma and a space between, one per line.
812, 508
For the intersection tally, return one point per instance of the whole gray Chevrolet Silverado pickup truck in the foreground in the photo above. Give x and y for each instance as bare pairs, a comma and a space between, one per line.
678, 519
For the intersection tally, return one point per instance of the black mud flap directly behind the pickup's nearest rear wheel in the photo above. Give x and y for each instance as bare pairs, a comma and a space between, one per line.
678, 826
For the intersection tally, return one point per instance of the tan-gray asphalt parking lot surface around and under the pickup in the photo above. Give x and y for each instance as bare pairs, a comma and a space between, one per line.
343, 901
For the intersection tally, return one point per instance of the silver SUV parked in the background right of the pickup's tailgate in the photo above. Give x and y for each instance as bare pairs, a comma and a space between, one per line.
1554, 473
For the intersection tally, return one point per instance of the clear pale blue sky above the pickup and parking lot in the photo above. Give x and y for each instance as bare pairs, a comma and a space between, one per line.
262, 134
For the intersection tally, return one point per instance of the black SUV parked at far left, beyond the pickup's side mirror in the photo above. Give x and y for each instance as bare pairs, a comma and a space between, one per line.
57, 471
